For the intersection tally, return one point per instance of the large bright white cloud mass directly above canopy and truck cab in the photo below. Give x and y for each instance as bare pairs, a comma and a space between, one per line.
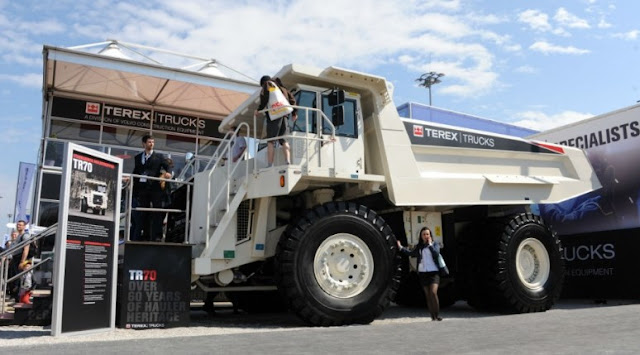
311, 32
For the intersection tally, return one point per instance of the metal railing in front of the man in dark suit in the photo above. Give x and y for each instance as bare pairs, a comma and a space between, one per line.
129, 186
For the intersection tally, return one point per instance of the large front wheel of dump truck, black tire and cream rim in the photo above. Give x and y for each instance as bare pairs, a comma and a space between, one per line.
338, 265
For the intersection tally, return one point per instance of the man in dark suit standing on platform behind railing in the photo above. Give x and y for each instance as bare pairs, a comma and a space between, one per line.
148, 193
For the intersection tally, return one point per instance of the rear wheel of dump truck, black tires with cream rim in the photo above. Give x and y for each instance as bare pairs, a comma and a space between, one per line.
514, 264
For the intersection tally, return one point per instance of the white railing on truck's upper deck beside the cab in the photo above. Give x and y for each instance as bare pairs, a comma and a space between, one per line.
319, 133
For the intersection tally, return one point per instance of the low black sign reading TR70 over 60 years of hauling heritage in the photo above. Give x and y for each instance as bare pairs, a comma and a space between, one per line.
155, 286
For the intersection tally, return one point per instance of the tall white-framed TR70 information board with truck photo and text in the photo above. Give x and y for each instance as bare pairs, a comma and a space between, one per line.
86, 243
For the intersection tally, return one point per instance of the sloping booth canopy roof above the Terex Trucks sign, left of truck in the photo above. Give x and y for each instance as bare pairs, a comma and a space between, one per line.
72, 72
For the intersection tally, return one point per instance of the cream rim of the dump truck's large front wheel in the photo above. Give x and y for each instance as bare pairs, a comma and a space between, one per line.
343, 265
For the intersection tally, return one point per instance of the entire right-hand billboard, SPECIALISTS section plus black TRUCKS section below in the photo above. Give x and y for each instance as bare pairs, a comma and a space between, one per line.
600, 230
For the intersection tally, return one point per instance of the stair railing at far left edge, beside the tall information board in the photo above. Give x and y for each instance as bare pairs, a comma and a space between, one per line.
7, 255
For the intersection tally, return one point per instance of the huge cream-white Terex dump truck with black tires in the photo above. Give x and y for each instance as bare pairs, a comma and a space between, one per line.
323, 229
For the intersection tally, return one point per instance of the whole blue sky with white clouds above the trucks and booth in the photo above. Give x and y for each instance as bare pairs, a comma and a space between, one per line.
539, 64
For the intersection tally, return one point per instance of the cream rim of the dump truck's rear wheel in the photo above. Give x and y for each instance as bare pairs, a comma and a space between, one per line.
532, 263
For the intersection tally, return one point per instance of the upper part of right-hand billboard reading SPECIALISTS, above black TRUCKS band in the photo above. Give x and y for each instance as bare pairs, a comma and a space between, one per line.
612, 144
